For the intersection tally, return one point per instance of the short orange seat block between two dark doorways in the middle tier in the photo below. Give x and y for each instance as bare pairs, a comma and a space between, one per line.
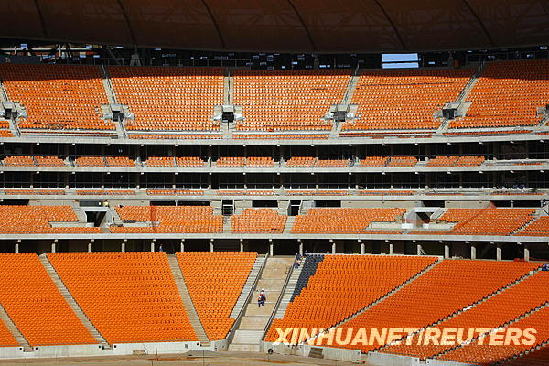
258, 220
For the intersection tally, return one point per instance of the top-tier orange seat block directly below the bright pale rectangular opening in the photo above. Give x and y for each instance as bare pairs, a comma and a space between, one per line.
404, 99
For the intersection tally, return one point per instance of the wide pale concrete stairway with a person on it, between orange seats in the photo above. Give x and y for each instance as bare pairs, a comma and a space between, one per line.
249, 335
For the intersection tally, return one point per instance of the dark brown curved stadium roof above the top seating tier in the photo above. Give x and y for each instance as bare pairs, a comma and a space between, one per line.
344, 26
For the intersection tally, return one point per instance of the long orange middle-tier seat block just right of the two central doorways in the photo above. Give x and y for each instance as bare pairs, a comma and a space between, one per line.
343, 220
